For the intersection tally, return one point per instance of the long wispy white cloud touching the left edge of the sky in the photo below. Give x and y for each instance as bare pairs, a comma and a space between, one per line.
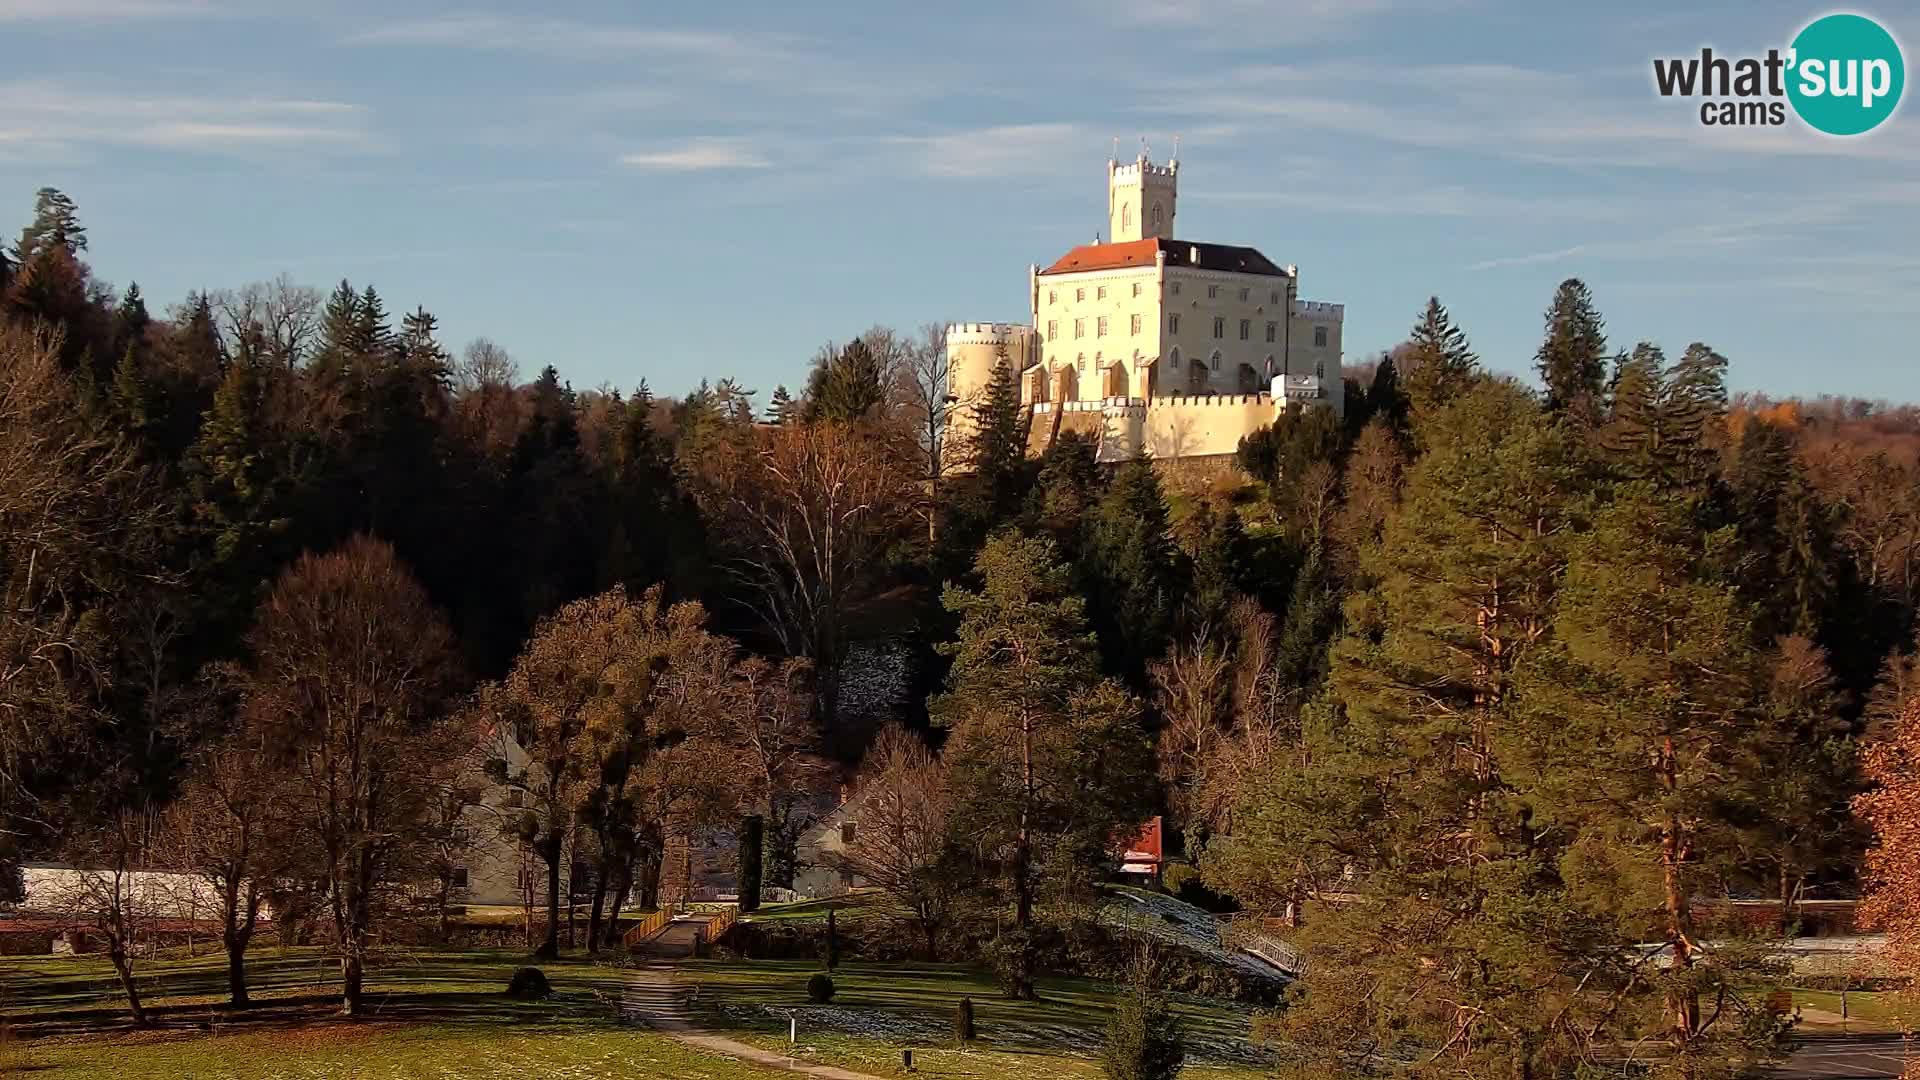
53, 120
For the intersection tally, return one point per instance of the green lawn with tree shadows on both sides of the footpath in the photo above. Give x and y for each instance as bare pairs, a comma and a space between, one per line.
444, 1014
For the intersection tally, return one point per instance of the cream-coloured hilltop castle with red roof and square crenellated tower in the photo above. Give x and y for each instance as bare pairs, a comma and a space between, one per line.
1147, 343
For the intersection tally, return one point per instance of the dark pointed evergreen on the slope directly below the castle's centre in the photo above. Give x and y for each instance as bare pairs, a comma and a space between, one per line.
1136, 577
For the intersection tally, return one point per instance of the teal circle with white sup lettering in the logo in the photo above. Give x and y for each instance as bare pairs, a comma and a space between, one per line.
1846, 74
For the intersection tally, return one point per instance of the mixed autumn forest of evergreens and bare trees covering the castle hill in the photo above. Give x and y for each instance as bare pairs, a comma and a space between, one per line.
1481, 691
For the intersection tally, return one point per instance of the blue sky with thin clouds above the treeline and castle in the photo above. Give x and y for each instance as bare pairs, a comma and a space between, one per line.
679, 191
